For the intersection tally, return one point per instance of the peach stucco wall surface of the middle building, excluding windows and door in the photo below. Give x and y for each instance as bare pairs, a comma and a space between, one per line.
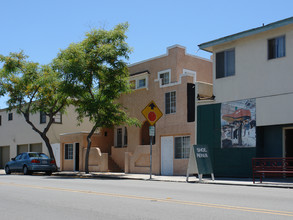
184, 69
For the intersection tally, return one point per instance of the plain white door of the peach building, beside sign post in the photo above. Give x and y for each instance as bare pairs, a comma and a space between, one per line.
167, 156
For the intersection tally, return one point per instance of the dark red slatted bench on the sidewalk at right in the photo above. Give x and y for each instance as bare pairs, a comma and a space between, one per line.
278, 166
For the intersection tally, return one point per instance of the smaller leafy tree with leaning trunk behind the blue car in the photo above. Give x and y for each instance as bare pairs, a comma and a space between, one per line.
32, 88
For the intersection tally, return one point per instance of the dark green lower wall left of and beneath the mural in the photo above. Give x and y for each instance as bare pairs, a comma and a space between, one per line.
228, 162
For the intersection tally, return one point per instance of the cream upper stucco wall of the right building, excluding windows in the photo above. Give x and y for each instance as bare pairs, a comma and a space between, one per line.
269, 81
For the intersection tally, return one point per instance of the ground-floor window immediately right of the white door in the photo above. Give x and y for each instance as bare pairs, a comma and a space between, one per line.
182, 147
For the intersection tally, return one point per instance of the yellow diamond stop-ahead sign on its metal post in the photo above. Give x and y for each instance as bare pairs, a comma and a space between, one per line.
152, 113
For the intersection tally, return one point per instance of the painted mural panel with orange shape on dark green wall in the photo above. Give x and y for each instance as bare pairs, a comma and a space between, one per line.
238, 124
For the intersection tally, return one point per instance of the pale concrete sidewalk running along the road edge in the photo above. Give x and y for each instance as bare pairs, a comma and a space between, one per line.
278, 183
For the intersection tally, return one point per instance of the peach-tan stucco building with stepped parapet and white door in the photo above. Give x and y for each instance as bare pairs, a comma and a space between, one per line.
168, 80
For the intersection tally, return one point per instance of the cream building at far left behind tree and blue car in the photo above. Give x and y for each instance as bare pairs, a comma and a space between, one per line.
16, 136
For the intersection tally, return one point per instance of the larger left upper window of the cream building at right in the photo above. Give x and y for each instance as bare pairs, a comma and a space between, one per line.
225, 63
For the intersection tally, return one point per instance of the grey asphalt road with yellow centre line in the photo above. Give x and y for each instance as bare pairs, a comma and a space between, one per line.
51, 197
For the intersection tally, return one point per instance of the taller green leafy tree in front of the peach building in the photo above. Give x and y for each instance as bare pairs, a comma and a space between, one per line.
96, 74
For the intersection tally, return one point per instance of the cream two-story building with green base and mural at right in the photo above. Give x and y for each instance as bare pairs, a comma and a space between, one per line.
253, 88
